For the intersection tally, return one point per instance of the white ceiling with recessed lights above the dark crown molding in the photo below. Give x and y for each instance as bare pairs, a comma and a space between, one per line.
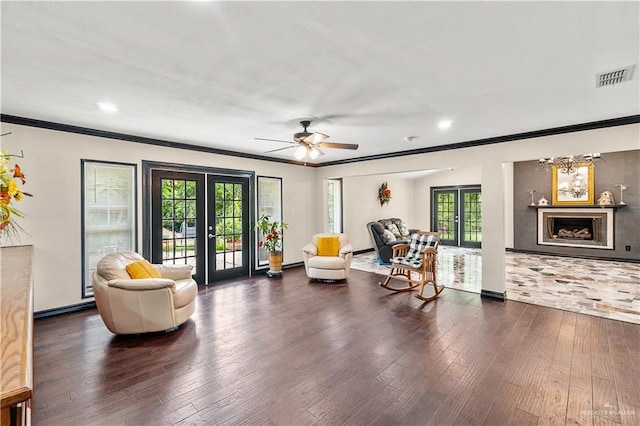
218, 74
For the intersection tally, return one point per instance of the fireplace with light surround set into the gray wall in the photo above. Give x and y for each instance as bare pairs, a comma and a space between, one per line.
576, 227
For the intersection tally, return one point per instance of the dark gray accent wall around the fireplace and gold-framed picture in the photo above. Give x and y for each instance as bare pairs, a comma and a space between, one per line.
619, 167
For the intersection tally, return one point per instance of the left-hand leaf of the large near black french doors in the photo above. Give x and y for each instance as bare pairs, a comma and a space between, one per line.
177, 220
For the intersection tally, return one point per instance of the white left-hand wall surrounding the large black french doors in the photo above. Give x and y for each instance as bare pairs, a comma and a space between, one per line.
53, 222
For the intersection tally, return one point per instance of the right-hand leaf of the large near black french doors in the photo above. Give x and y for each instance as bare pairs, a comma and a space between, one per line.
228, 227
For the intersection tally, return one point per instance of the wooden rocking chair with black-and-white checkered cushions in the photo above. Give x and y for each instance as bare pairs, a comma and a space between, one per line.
418, 257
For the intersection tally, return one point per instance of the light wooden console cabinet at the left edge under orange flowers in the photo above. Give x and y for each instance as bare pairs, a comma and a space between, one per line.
16, 331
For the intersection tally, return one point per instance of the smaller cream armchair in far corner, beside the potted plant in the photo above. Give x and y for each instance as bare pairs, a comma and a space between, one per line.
328, 266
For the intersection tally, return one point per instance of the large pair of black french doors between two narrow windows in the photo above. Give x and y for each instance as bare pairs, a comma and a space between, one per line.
201, 220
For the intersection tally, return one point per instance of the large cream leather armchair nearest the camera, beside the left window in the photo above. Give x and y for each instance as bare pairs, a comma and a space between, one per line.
131, 306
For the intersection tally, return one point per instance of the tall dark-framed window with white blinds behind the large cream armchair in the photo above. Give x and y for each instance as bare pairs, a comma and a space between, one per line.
108, 213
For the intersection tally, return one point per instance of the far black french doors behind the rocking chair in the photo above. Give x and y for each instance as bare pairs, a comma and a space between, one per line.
456, 214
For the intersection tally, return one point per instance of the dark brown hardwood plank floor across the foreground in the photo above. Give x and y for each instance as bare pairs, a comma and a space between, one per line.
287, 351
